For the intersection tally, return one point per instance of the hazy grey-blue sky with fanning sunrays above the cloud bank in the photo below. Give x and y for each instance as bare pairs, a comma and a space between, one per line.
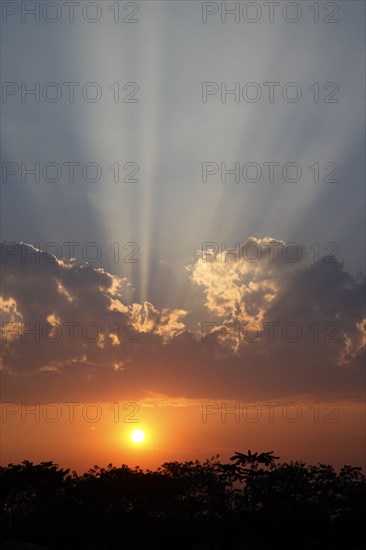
170, 132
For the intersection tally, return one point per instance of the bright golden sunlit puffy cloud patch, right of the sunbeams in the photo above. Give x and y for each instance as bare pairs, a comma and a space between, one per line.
241, 284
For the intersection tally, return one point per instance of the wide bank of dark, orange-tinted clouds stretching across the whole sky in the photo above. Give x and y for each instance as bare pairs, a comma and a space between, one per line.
275, 328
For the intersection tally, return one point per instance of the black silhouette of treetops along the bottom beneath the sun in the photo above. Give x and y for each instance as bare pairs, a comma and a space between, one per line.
253, 502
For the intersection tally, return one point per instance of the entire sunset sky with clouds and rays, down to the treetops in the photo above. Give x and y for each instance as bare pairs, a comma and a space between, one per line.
189, 248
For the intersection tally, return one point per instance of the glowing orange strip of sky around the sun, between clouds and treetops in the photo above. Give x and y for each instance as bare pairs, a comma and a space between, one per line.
177, 432
